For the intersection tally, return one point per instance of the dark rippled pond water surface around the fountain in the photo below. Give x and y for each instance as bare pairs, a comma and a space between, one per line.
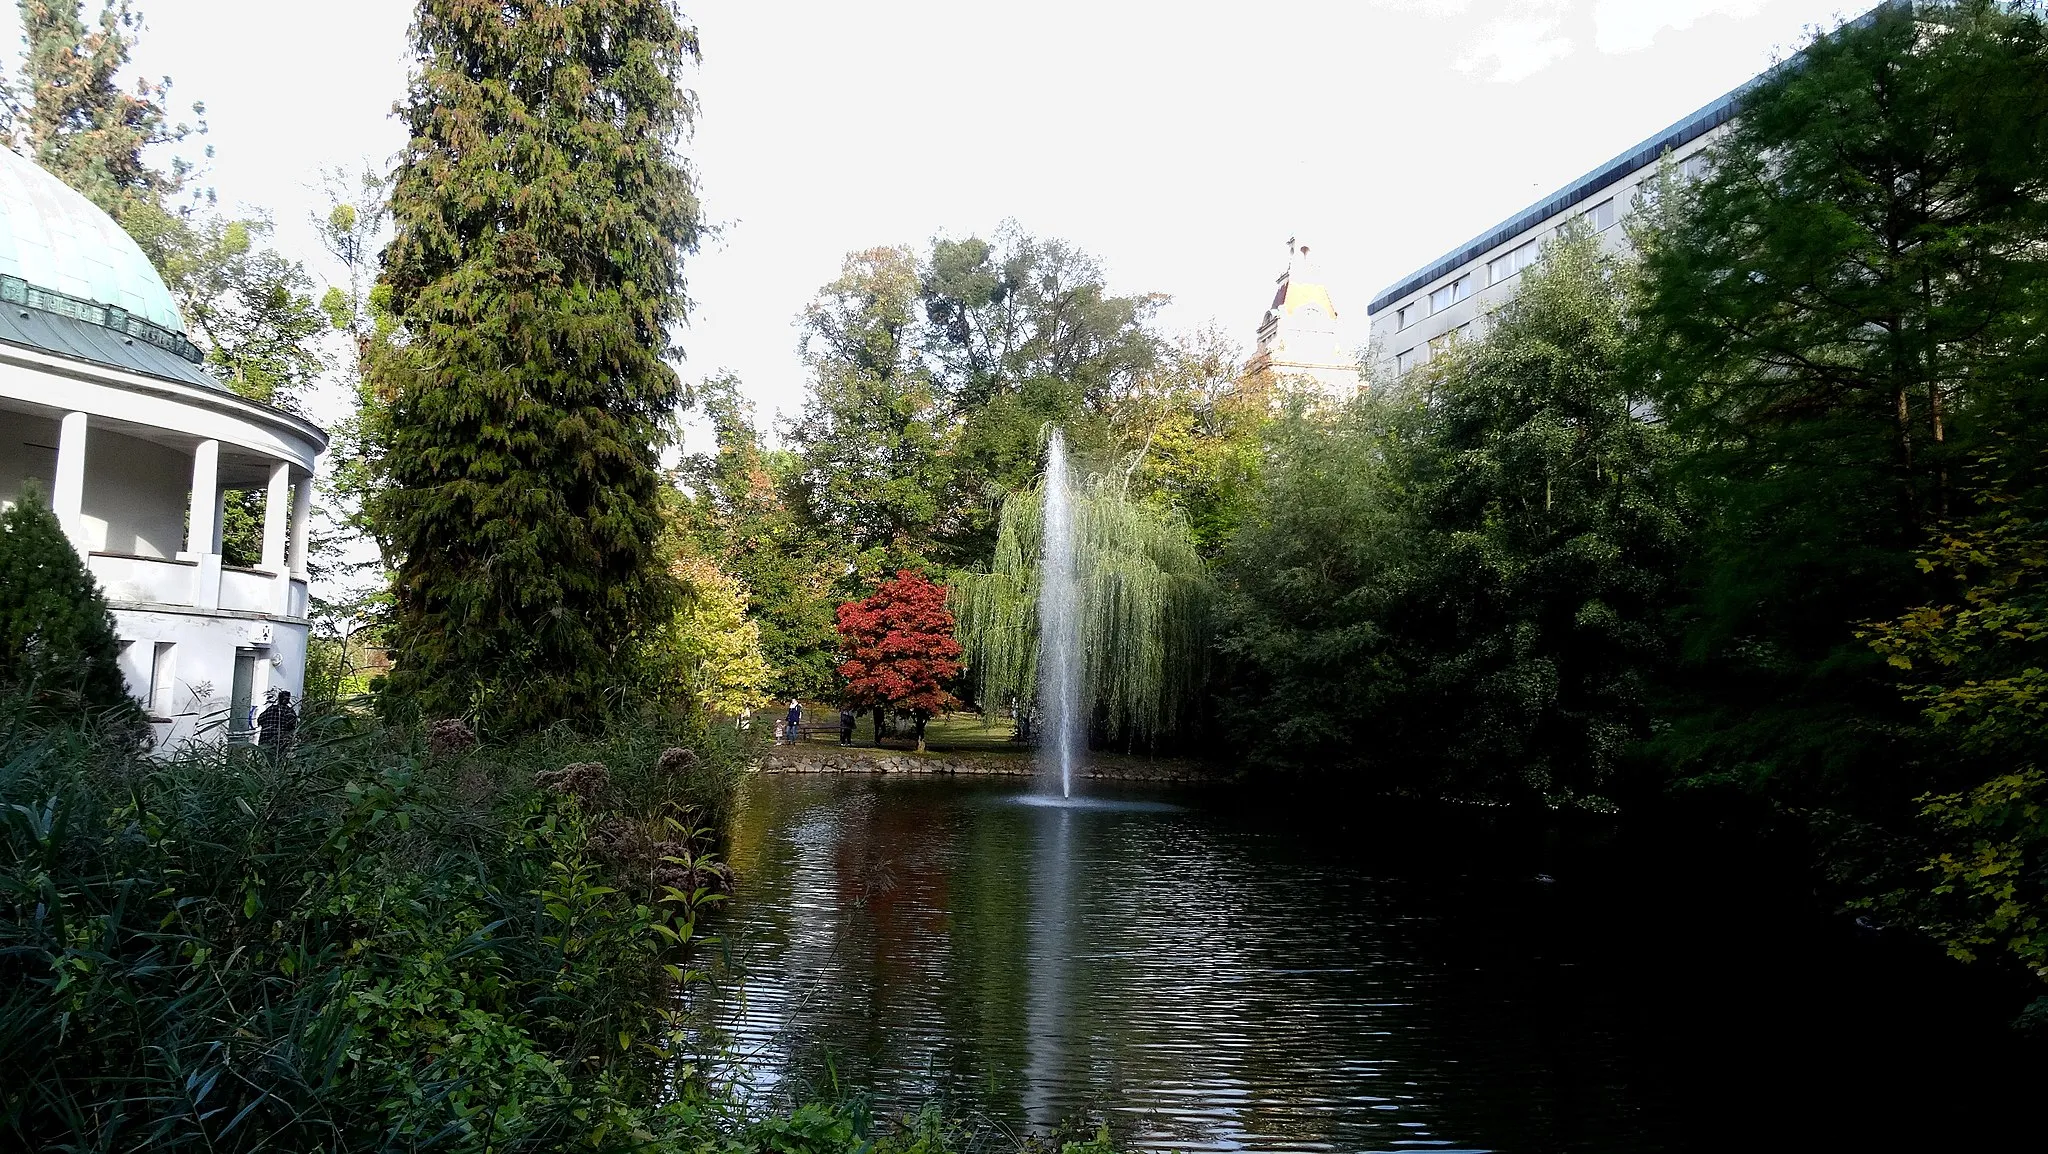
1207, 975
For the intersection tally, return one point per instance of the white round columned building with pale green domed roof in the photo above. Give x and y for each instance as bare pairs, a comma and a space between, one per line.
105, 405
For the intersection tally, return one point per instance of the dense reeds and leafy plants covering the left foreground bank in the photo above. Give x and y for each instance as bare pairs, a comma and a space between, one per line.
386, 942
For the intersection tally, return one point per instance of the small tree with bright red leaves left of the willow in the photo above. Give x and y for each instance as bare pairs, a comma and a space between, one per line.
900, 651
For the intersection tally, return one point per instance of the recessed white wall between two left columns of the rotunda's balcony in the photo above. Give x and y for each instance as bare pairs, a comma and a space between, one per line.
136, 495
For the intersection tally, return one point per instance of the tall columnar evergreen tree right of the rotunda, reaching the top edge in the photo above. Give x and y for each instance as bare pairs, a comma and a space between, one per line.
540, 222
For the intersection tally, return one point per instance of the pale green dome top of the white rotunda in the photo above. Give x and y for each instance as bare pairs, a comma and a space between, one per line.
56, 239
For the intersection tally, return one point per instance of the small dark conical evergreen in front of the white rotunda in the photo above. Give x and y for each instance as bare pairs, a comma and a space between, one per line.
56, 636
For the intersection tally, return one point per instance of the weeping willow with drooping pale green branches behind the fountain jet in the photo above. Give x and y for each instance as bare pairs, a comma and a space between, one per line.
1144, 610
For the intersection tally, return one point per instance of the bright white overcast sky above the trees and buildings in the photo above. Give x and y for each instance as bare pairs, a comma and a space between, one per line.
1177, 140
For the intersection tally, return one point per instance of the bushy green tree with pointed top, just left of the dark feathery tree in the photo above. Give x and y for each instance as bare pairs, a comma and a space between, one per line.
1555, 538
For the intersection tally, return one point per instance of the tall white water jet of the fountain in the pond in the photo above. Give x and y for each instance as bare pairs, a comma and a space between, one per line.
1060, 626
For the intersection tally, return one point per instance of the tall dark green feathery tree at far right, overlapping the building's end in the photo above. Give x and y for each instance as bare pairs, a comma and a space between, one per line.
1846, 302
